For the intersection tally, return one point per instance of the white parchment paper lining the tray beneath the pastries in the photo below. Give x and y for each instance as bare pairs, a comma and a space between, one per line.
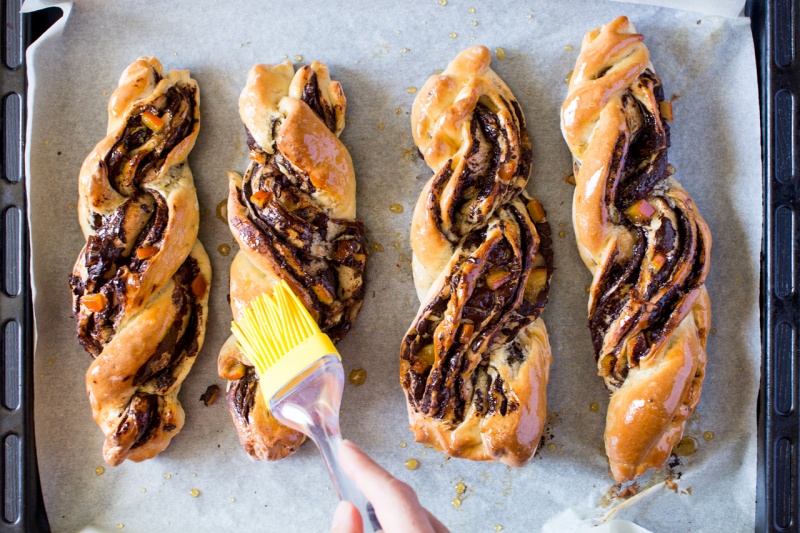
379, 50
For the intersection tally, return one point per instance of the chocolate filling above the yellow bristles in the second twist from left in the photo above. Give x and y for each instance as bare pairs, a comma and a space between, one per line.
320, 256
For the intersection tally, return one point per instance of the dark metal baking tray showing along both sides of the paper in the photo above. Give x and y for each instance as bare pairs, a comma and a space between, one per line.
775, 30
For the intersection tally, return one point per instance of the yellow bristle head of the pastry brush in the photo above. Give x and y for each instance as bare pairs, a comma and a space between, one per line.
281, 339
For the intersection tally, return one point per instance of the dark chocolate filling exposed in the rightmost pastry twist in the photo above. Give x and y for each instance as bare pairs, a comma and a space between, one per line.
639, 296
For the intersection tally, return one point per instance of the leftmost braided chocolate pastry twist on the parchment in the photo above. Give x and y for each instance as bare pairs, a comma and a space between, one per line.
140, 285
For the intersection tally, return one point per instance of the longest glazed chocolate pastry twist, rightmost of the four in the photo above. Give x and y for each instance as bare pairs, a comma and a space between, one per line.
646, 244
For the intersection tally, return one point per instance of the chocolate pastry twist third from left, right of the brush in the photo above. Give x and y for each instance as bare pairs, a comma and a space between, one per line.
475, 362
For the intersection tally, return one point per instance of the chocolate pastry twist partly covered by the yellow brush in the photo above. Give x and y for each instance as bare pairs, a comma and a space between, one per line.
293, 215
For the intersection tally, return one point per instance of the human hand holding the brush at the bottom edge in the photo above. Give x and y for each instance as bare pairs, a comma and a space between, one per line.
396, 504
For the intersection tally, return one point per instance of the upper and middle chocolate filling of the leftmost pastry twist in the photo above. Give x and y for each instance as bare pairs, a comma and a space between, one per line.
125, 239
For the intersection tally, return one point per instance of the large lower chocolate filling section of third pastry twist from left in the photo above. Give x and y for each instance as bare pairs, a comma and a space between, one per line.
482, 306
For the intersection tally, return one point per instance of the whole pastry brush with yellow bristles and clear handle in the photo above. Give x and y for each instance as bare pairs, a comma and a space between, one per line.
301, 378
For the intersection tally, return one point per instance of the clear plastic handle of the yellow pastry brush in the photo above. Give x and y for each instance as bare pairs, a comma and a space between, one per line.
311, 406
